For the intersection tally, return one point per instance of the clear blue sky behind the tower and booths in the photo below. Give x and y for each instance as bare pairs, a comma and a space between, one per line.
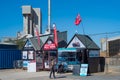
98, 16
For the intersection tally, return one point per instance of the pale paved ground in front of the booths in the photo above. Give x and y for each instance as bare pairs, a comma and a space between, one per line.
18, 74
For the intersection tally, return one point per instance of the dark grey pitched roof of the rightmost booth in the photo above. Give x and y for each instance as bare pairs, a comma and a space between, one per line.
86, 40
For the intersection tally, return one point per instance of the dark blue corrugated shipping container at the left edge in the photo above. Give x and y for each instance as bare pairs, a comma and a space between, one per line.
7, 58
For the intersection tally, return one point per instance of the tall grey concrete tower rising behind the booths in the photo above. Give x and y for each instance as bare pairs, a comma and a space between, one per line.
31, 19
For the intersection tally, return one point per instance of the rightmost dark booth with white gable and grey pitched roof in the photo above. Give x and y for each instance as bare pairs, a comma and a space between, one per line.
87, 52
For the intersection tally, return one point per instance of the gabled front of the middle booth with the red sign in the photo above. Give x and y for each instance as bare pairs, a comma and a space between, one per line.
49, 53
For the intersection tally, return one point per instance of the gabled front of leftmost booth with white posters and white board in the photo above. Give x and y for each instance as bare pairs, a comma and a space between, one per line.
29, 57
